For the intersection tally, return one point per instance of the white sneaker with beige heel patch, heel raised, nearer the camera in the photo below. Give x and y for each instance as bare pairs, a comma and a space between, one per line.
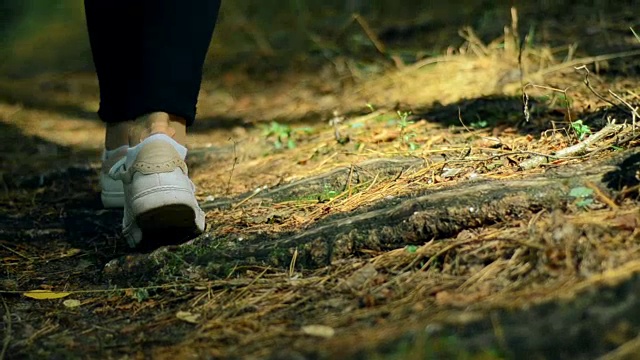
160, 204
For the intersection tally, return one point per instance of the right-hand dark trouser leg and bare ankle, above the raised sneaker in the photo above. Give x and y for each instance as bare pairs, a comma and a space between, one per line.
176, 37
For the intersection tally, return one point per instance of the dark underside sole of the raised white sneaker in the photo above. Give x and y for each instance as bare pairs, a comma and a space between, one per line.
167, 225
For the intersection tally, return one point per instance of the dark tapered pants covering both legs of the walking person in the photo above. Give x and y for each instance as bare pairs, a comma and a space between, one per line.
149, 54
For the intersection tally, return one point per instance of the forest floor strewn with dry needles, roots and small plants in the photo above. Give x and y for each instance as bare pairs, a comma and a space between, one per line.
427, 211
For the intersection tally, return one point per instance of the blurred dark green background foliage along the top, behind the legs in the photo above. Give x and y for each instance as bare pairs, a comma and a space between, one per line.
40, 36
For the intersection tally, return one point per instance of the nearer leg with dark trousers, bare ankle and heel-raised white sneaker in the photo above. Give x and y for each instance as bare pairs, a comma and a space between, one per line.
173, 39
